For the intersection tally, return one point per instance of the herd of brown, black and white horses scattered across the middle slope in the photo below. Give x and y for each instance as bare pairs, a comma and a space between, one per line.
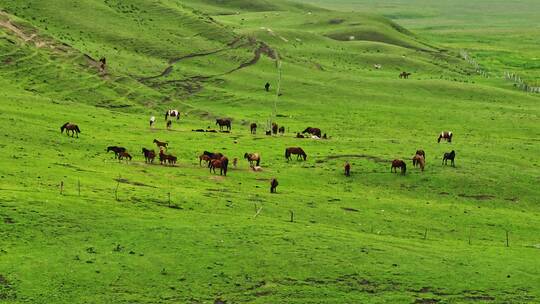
216, 160
